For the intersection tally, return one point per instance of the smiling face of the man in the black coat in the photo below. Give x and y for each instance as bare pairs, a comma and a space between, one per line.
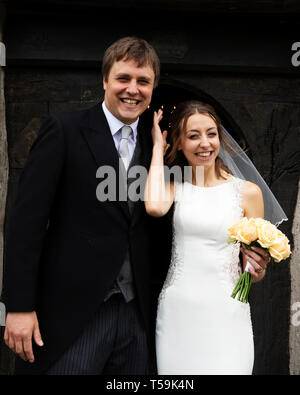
128, 90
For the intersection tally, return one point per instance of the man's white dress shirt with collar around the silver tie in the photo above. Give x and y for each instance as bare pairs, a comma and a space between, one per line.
115, 125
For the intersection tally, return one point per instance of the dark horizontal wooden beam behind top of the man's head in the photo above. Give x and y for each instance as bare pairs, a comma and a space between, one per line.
196, 41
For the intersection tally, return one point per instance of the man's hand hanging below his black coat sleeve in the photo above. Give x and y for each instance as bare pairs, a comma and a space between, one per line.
20, 328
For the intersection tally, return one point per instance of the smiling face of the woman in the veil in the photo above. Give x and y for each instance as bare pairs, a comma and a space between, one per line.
200, 142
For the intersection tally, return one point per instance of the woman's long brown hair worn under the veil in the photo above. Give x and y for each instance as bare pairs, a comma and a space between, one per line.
178, 122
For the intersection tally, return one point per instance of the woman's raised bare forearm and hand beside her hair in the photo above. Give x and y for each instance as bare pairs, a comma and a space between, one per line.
159, 195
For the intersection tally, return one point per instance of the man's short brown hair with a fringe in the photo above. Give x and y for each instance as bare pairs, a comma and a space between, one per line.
131, 48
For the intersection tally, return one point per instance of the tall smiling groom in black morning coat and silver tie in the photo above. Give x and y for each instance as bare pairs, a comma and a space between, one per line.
77, 272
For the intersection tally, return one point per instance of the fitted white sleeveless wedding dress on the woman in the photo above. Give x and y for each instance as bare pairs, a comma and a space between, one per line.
200, 329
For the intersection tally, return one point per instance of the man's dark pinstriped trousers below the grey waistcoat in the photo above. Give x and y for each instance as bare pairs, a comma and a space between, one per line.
113, 343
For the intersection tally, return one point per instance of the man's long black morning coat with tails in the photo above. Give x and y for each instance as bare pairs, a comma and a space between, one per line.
65, 248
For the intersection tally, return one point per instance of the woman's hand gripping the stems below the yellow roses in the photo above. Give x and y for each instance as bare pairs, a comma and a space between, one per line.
259, 259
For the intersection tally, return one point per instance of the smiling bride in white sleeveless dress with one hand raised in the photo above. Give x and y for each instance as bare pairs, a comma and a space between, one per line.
200, 329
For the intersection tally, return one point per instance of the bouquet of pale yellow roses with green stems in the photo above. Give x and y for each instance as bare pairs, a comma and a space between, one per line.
261, 233
